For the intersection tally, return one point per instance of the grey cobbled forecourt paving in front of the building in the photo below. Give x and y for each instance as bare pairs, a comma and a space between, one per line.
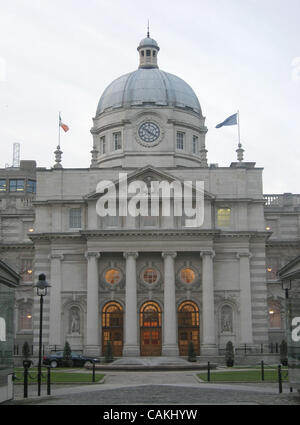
157, 388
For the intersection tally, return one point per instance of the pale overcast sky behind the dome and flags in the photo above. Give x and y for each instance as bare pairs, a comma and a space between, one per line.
60, 55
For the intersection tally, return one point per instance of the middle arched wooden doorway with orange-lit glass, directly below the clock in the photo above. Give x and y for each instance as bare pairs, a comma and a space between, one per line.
150, 327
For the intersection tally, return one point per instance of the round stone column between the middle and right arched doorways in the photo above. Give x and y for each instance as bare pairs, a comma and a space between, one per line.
170, 343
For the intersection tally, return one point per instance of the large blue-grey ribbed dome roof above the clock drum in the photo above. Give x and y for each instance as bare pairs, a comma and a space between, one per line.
148, 86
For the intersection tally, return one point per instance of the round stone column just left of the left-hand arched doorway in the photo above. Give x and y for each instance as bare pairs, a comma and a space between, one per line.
92, 316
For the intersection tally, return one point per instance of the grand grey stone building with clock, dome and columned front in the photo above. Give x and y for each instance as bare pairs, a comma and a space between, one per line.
151, 284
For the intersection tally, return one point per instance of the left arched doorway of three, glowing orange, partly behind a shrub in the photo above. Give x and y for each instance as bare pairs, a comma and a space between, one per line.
112, 328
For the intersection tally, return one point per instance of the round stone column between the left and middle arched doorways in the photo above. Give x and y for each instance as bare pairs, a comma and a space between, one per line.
131, 347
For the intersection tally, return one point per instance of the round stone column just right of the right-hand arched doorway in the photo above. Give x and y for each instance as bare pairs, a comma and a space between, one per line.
208, 345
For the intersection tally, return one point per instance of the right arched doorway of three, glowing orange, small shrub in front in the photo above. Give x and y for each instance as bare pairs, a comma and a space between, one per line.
188, 327
